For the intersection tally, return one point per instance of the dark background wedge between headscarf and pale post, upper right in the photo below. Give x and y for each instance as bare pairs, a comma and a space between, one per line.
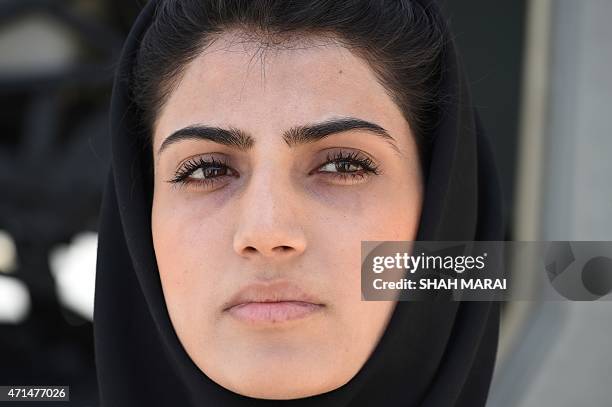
490, 36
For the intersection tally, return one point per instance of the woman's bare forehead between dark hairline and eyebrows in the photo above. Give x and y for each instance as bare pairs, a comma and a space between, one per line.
244, 83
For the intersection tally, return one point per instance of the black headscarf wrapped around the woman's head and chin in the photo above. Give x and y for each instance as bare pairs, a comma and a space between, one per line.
432, 354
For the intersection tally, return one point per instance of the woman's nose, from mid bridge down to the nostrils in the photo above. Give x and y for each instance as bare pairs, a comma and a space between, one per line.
269, 225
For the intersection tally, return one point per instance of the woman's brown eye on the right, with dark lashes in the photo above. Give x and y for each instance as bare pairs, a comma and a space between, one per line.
348, 166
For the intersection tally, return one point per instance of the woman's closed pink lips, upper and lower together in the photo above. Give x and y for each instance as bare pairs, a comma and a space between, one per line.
272, 303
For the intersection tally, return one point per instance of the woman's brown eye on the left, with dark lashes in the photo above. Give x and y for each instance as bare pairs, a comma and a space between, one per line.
206, 173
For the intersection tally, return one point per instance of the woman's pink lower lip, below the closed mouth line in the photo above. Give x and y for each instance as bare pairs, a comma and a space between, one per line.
273, 312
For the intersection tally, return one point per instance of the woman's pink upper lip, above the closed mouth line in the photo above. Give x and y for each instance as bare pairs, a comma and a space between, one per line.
278, 291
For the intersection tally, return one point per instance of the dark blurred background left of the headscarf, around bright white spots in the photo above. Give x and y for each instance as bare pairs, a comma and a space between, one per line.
55, 77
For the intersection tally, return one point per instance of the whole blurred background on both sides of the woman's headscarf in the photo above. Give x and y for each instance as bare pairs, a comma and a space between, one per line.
539, 72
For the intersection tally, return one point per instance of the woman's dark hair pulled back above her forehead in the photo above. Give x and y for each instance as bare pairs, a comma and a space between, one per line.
403, 42
